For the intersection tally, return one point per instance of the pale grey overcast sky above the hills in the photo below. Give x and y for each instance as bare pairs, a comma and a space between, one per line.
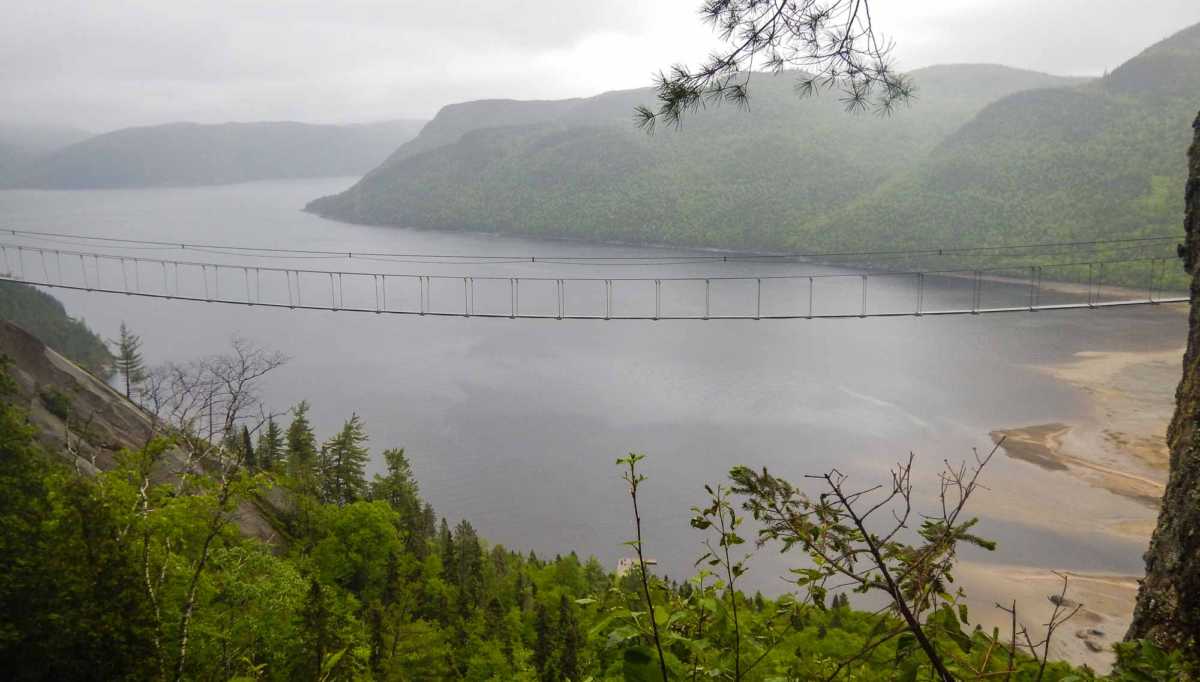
106, 64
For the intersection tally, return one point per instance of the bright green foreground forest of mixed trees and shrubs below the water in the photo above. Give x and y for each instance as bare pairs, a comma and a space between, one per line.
253, 549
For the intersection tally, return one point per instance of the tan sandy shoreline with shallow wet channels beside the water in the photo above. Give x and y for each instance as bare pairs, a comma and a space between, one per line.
1101, 475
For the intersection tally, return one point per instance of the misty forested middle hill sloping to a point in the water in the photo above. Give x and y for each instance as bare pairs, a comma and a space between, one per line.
731, 178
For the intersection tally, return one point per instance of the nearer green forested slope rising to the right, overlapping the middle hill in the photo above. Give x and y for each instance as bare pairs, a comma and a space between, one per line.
1100, 160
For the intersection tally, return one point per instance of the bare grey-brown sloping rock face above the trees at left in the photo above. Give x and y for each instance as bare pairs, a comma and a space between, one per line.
87, 422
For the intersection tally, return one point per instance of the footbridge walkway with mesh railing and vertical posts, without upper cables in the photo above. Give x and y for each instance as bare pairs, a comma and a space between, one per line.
818, 295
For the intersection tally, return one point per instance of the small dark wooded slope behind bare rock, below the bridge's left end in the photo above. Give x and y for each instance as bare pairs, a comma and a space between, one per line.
45, 318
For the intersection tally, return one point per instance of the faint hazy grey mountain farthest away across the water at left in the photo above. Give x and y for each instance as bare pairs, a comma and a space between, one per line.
193, 154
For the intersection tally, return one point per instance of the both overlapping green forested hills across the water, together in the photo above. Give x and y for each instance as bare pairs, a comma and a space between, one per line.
985, 155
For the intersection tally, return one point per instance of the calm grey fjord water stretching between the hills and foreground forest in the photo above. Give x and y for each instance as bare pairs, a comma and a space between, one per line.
517, 424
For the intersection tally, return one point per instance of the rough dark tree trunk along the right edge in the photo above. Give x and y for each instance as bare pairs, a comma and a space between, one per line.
1168, 609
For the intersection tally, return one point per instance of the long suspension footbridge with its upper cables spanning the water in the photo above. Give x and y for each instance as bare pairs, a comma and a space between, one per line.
821, 292
